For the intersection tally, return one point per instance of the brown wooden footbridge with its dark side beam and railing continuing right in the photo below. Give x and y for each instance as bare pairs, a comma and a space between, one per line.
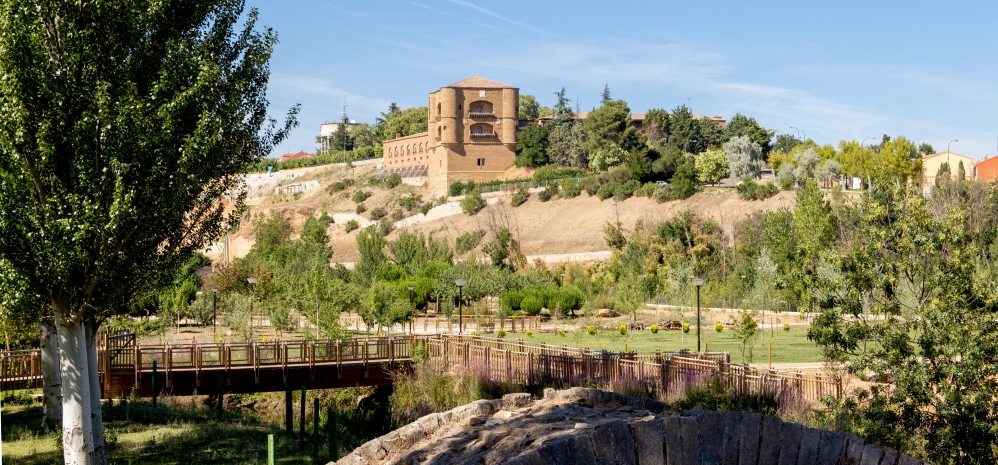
126, 367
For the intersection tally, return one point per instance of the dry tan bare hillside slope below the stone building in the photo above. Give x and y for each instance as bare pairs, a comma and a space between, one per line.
560, 226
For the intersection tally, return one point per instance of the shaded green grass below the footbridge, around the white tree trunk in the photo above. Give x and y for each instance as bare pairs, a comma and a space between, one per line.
180, 431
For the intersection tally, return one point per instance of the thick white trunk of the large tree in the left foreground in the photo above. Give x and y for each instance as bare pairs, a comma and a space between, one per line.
77, 424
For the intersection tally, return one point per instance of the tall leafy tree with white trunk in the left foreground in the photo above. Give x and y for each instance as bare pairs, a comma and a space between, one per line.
123, 125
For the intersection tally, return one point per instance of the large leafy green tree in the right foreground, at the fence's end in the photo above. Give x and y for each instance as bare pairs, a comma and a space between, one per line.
913, 304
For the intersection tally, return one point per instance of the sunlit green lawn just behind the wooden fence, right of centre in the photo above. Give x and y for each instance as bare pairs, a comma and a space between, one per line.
788, 346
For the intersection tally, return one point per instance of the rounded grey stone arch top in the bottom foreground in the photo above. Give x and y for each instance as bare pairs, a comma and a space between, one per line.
588, 426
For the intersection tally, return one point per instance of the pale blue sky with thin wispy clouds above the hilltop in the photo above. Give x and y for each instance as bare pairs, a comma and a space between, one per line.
832, 70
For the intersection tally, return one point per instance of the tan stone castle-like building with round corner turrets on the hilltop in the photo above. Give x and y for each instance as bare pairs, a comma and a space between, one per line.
471, 135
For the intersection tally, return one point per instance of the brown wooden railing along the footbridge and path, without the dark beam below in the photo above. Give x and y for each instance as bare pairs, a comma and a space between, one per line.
662, 373
